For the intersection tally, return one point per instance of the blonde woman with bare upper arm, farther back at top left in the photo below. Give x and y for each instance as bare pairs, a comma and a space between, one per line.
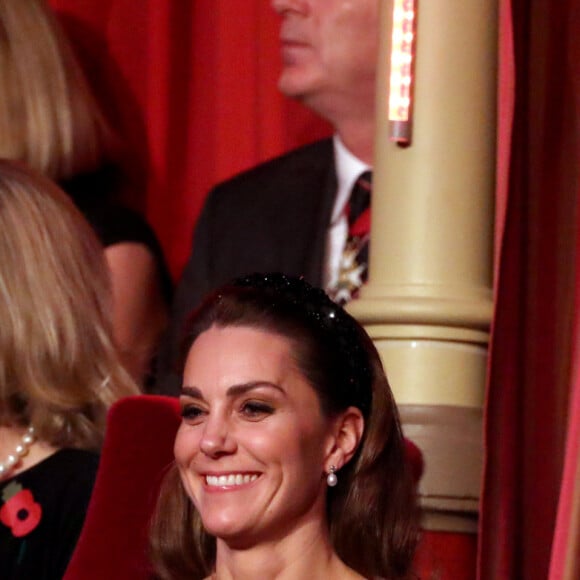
50, 120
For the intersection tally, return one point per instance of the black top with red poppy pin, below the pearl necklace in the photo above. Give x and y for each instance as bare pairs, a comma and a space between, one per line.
42, 511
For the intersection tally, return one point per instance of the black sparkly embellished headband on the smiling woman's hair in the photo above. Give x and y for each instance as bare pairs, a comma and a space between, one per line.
331, 322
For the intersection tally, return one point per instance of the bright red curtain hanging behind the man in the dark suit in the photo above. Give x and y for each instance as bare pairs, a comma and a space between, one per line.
191, 88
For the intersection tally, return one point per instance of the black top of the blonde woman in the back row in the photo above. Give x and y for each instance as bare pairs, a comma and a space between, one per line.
95, 194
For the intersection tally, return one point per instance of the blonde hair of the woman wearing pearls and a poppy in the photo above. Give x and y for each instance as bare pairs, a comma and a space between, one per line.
59, 368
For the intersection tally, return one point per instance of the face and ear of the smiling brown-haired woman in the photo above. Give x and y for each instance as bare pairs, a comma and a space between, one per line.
256, 418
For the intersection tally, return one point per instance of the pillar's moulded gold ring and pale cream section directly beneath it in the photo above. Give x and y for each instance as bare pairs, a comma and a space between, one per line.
433, 353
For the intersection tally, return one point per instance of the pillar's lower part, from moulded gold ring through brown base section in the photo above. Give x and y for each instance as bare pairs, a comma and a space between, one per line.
437, 372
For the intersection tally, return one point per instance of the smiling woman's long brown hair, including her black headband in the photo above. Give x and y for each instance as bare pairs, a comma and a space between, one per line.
372, 511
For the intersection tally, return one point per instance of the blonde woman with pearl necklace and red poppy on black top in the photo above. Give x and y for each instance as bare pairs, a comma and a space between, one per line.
59, 372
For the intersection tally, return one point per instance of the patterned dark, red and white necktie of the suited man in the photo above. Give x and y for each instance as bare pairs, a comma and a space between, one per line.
353, 270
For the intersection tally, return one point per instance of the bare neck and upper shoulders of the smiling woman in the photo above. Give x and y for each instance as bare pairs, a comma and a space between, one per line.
306, 553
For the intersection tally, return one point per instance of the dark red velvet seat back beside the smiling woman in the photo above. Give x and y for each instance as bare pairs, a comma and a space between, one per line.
137, 451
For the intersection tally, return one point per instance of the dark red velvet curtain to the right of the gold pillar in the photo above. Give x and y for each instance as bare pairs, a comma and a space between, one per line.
533, 348
